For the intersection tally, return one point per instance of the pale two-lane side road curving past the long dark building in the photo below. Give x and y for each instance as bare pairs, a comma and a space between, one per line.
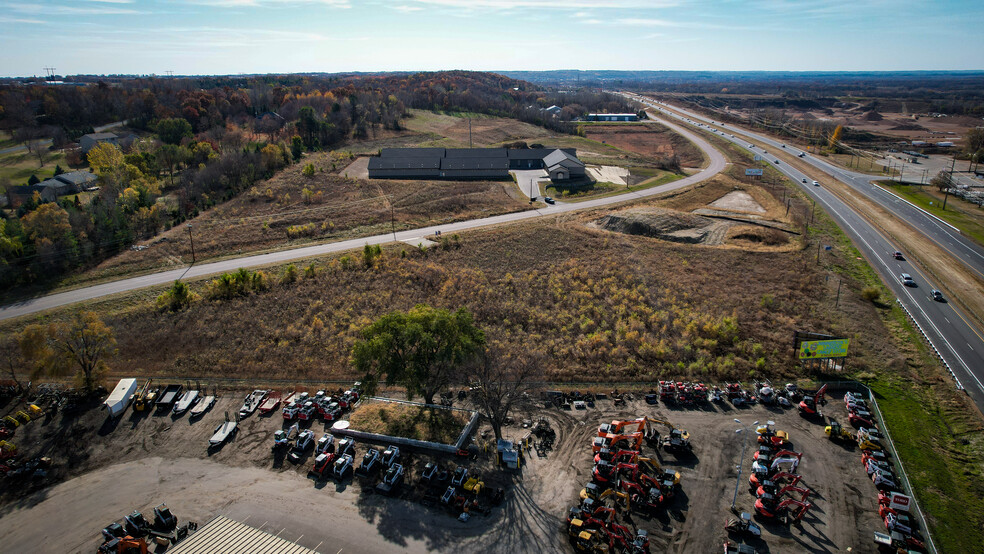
34, 305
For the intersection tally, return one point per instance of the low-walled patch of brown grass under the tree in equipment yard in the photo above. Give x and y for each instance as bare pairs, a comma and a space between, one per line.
409, 421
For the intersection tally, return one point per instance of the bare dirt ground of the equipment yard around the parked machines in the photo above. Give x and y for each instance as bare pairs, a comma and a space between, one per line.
148, 459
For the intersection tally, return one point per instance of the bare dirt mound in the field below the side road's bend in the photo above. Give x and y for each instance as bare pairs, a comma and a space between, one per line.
671, 226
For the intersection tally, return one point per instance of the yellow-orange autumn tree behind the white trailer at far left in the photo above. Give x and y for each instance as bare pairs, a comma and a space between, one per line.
56, 349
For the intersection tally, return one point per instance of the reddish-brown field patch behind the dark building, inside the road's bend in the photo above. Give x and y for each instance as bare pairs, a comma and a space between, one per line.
648, 139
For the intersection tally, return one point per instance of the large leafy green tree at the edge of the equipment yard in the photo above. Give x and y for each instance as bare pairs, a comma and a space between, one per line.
422, 349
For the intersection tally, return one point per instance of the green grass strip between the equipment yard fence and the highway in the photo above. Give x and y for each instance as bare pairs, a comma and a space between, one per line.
937, 435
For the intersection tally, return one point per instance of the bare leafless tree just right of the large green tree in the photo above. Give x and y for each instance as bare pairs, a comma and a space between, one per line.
502, 384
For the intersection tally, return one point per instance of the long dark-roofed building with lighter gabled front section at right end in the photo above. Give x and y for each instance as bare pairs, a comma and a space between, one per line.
473, 163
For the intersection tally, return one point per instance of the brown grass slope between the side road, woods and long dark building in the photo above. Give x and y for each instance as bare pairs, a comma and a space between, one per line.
274, 214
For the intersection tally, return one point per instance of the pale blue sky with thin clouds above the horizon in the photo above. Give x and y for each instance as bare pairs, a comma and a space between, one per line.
283, 36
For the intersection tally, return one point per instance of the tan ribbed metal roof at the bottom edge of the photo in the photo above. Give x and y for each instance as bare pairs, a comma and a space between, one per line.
225, 535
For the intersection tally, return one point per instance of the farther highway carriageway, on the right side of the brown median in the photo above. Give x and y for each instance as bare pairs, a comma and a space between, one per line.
945, 235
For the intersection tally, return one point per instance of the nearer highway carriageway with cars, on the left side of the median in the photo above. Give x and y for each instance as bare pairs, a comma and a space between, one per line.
948, 330
